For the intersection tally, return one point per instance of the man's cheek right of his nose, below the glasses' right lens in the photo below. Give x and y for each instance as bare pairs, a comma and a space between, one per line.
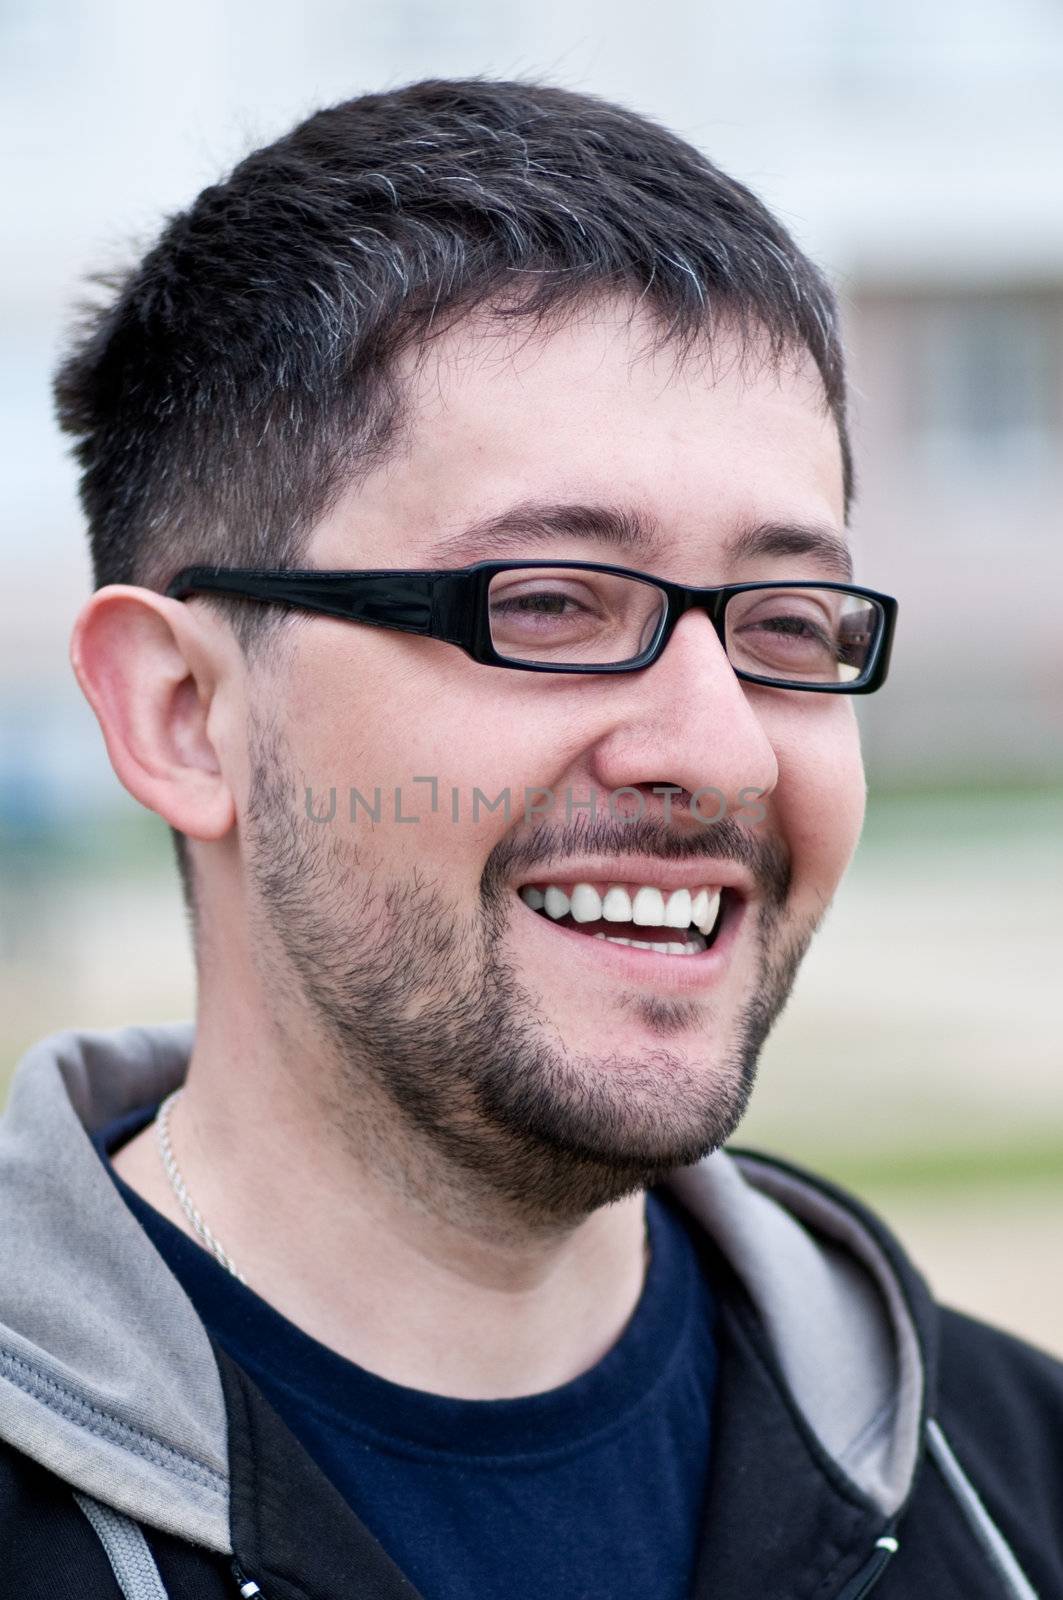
820, 798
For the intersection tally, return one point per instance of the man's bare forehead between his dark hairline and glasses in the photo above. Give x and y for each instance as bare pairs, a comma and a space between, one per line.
683, 454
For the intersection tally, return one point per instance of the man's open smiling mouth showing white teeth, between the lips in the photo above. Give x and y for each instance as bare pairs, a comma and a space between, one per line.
641, 916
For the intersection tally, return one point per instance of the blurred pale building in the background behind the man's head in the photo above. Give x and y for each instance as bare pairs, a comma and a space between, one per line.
917, 151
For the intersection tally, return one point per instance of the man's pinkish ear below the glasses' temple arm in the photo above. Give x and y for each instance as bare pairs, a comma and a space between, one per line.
151, 671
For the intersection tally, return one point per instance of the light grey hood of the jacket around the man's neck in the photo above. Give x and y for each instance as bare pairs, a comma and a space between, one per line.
108, 1377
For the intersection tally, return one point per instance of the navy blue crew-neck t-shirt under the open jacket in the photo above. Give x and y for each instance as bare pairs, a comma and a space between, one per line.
593, 1490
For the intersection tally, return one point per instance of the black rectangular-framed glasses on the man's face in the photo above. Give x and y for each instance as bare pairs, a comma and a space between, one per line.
584, 617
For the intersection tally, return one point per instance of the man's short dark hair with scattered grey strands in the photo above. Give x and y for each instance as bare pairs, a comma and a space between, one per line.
243, 374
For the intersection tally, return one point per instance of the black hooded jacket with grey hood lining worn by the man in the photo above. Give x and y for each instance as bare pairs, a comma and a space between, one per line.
865, 1441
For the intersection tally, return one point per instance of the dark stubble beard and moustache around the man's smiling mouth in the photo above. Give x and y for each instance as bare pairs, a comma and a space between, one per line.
439, 1062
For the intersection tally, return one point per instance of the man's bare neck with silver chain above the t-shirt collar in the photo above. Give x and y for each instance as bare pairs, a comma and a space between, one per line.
383, 1255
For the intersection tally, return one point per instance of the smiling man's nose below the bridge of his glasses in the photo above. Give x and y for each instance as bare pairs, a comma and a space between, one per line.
688, 722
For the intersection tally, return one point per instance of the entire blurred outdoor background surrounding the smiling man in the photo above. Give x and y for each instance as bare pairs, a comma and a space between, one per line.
917, 151
